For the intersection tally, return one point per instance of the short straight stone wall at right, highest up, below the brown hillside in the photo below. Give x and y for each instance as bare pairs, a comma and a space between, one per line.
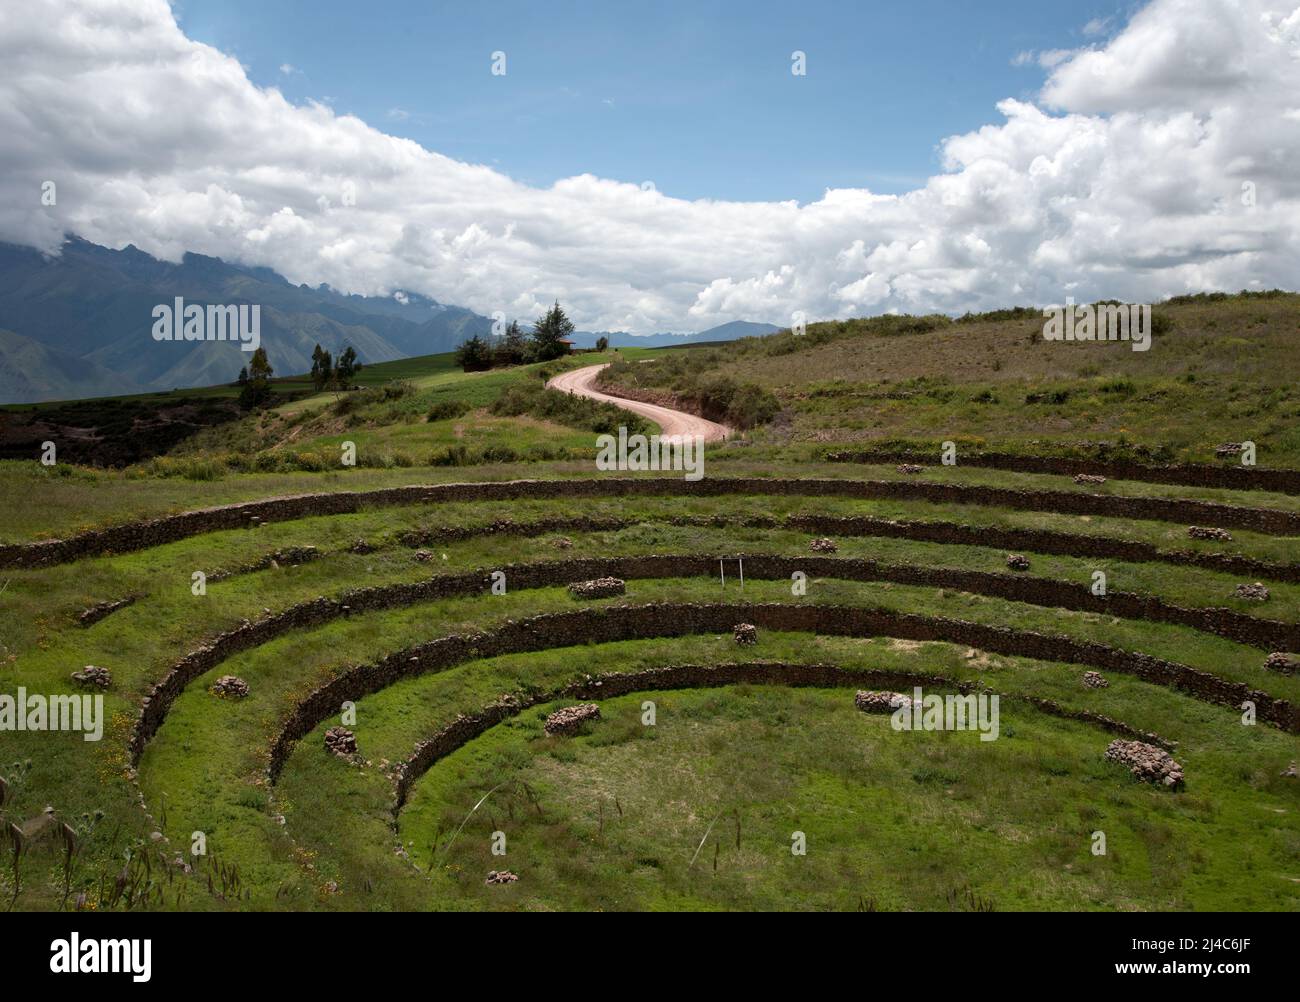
1189, 475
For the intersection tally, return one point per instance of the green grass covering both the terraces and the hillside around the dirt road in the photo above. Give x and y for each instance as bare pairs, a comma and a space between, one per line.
697, 810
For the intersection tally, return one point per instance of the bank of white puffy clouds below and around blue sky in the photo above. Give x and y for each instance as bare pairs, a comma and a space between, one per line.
1128, 177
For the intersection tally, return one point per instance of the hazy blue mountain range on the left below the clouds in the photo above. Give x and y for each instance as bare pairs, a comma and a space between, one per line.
94, 306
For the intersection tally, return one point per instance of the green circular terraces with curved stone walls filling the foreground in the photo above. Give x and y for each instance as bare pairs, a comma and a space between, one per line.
427, 613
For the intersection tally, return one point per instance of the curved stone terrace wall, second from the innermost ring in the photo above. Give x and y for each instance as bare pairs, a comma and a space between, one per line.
662, 621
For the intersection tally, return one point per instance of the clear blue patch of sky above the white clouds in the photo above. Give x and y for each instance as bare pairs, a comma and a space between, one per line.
696, 98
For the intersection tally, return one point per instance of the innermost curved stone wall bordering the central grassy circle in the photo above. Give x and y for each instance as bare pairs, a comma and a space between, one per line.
699, 676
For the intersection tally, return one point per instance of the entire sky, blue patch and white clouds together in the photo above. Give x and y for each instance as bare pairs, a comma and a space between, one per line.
666, 171
